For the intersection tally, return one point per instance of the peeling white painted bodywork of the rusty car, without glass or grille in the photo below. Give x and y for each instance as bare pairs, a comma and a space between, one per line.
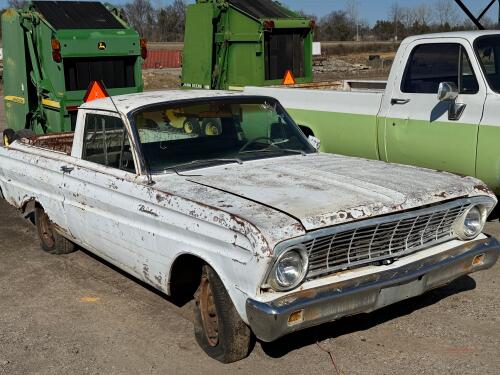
232, 217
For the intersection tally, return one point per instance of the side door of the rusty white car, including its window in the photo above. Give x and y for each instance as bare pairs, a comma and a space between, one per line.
103, 199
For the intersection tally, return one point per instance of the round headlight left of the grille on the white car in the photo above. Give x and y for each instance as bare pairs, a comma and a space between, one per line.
289, 270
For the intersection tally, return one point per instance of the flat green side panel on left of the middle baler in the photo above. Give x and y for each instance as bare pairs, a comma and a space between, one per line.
197, 64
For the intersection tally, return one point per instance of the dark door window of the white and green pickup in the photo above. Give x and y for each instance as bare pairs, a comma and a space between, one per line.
431, 64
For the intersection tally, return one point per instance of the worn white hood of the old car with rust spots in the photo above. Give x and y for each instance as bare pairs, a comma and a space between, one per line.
322, 189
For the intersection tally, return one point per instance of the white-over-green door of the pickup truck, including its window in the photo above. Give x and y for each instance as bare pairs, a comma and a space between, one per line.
417, 129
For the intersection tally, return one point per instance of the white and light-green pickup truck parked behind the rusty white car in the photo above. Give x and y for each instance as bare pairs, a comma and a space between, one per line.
440, 108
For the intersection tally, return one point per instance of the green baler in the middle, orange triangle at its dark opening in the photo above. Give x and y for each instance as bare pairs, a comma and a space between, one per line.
229, 44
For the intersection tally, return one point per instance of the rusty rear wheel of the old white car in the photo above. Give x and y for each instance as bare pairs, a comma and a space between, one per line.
51, 241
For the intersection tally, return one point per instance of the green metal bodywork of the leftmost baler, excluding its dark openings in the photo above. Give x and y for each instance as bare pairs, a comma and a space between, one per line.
30, 53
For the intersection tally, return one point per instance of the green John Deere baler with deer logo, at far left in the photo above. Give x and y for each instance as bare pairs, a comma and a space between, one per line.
53, 50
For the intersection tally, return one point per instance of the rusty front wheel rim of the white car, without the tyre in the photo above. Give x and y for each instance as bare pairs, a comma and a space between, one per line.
208, 312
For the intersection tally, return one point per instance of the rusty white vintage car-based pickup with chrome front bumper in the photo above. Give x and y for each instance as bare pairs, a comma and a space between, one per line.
219, 196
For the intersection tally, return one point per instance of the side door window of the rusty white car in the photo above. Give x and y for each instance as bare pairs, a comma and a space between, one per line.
106, 142
